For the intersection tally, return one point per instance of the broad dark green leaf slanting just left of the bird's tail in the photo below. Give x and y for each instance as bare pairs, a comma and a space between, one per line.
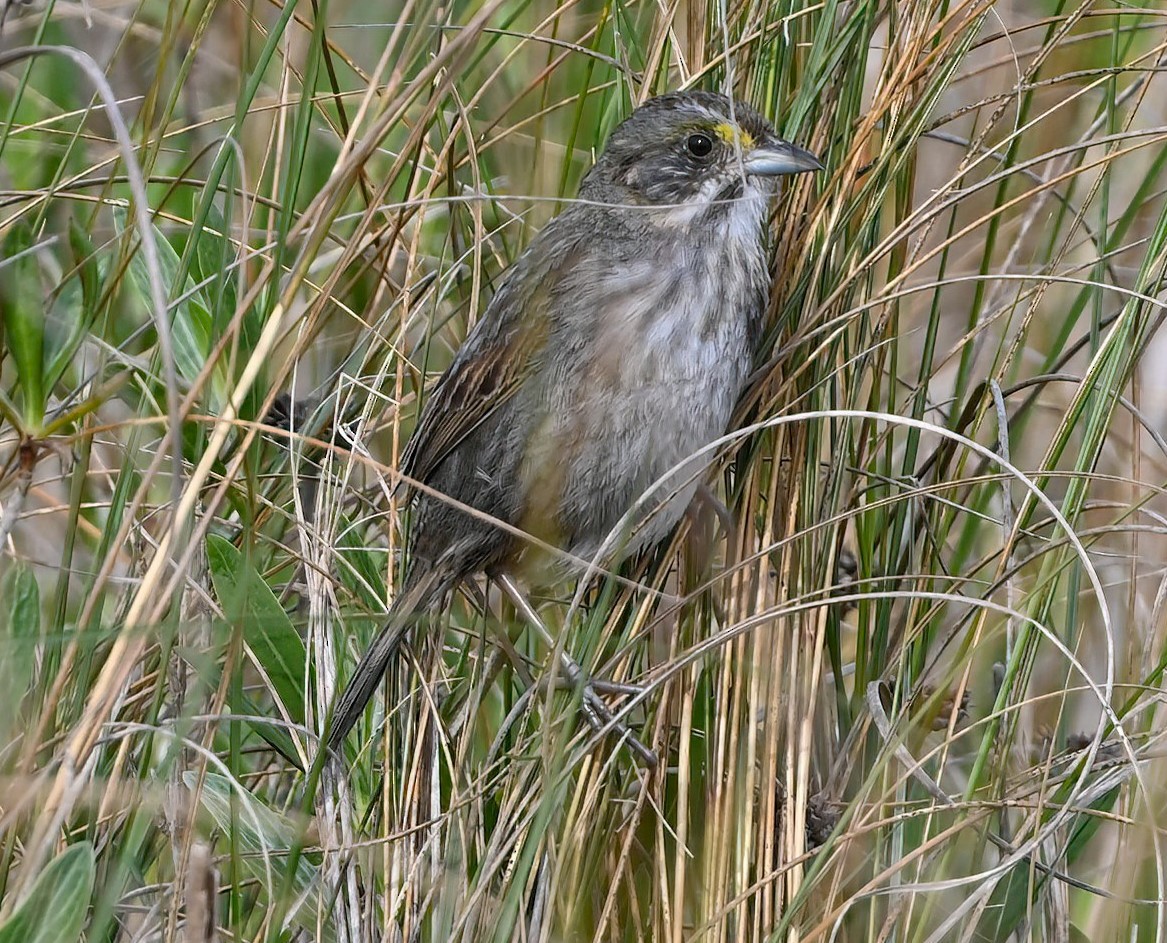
250, 605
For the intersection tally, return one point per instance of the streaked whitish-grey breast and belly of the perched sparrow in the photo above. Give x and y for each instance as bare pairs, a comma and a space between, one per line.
669, 345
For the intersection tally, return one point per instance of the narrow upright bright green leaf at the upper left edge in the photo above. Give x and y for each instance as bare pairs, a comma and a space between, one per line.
23, 309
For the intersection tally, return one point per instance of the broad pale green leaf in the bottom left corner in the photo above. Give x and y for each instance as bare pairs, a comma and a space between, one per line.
55, 910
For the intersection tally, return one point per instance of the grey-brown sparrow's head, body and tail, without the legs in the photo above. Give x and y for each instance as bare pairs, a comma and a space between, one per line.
614, 350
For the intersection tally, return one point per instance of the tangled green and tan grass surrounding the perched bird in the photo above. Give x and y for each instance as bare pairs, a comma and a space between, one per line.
913, 696
